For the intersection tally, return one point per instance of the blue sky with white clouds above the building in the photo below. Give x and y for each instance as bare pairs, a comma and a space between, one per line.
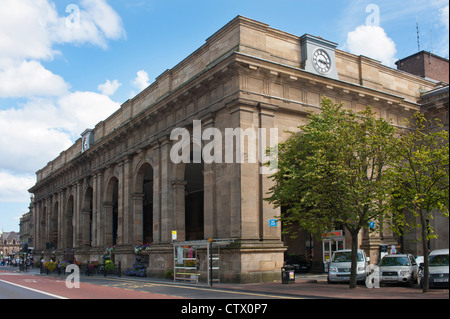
60, 75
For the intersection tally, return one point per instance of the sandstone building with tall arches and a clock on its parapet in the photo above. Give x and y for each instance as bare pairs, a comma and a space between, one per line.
118, 184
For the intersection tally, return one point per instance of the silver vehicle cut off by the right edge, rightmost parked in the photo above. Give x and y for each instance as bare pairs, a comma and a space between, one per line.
438, 269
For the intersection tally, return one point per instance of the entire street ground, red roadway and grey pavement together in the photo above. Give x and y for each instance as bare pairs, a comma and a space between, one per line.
19, 285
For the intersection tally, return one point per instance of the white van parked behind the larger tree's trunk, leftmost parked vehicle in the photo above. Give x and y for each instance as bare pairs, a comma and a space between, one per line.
340, 266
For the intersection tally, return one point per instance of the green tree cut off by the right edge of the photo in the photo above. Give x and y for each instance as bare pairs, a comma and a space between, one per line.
421, 177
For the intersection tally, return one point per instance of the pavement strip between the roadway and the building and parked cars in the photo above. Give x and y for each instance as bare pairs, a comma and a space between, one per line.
306, 286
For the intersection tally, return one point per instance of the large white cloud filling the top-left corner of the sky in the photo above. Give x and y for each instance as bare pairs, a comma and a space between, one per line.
30, 28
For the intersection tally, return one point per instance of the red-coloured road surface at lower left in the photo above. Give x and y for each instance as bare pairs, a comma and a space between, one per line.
58, 287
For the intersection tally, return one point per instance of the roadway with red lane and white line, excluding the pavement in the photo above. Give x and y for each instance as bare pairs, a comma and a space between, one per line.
19, 285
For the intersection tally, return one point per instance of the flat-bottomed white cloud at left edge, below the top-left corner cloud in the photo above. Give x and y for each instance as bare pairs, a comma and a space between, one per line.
29, 79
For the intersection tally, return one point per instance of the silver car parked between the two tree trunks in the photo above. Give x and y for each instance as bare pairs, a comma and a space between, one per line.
400, 268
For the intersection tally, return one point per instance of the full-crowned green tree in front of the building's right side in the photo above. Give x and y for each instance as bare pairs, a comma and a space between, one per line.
331, 173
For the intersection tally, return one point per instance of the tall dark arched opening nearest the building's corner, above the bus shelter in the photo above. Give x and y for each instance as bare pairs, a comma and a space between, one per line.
194, 207
